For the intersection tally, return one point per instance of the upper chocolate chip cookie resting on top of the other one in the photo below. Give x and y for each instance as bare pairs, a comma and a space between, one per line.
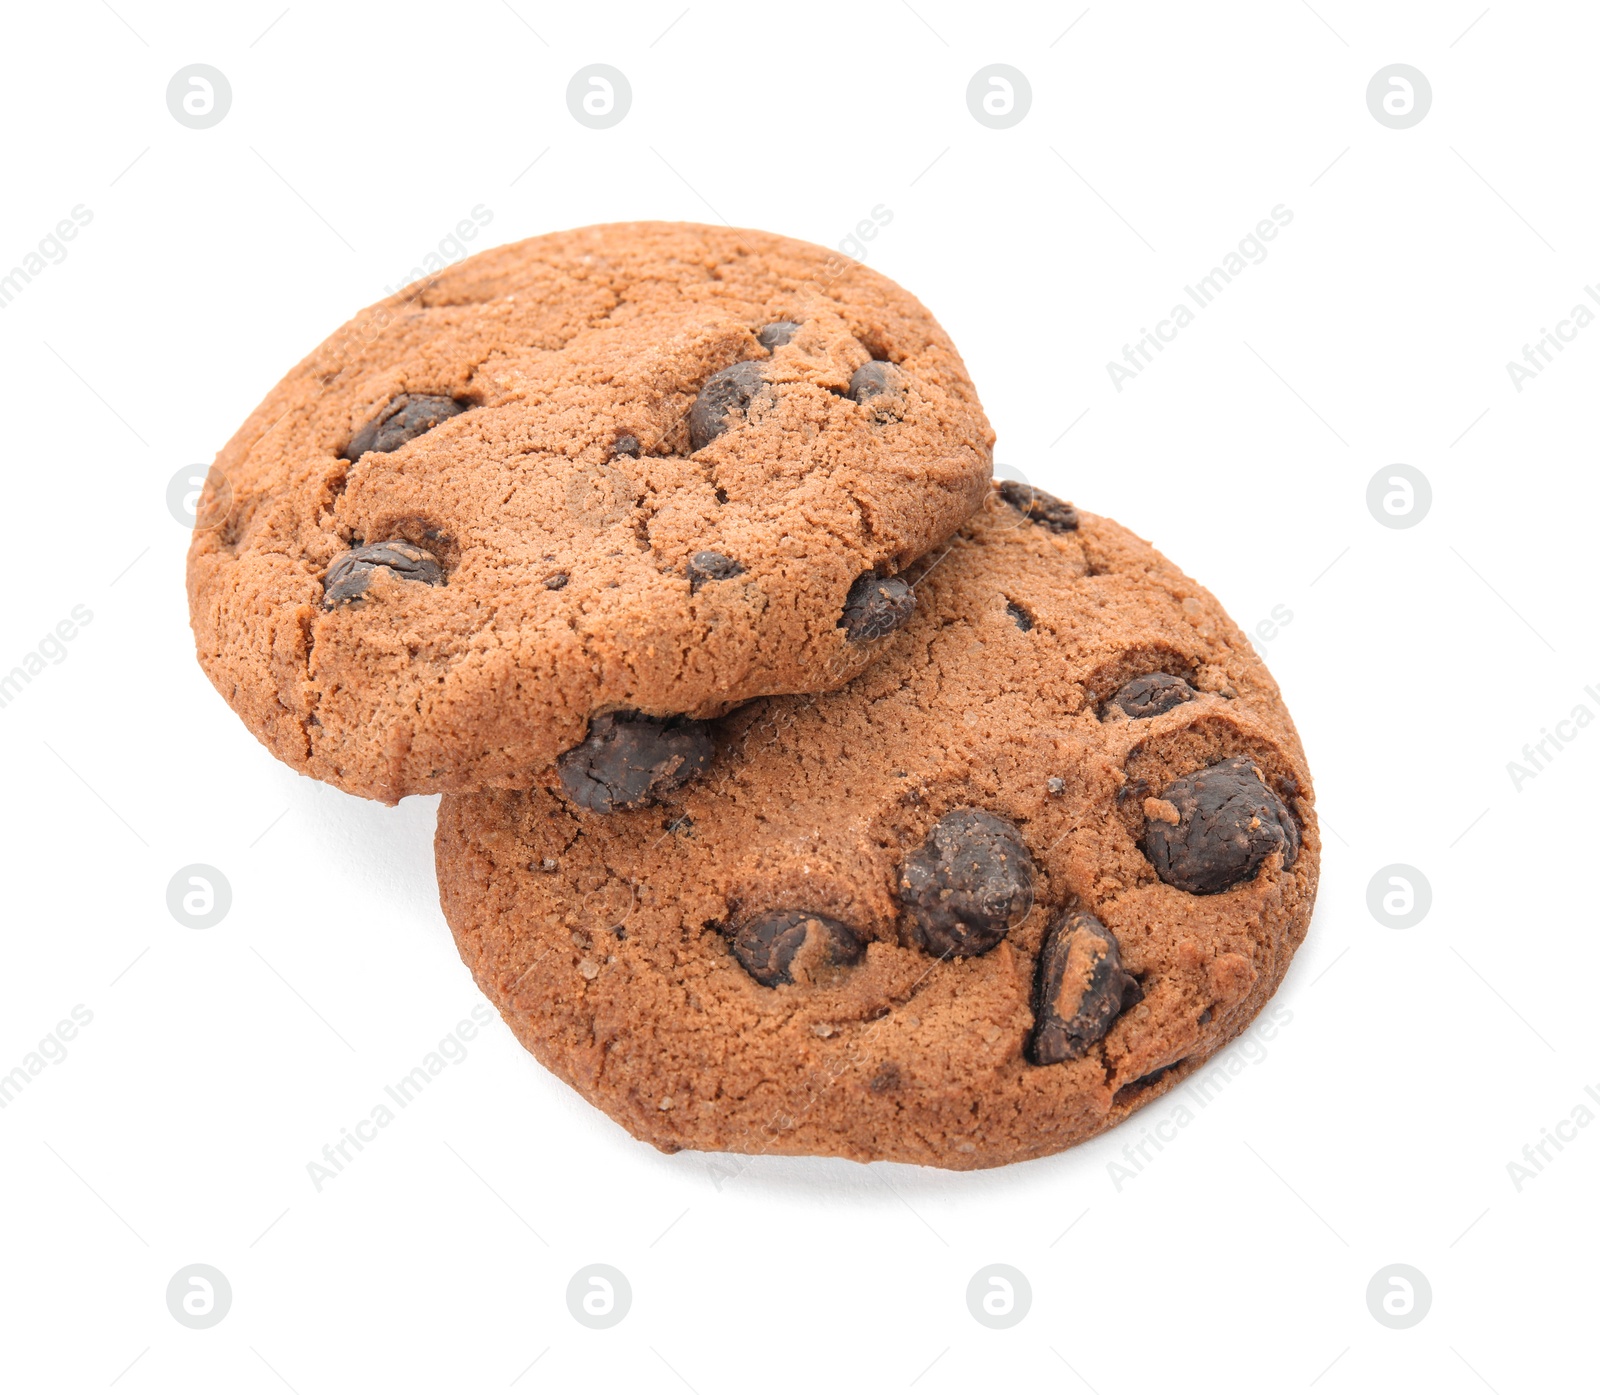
622, 470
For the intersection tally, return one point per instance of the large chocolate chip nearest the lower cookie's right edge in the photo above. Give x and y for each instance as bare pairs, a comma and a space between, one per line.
1228, 825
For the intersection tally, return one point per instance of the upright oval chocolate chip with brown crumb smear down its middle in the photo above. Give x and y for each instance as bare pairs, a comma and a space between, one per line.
1079, 989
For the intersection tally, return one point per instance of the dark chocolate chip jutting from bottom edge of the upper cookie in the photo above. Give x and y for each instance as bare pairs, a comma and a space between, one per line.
630, 759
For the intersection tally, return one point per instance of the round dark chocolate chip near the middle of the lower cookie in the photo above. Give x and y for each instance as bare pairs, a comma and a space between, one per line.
967, 885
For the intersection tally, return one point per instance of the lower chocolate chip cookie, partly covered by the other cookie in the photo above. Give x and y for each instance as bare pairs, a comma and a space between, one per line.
926, 917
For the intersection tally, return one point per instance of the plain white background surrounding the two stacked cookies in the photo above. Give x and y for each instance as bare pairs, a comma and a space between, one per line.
1374, 1129
